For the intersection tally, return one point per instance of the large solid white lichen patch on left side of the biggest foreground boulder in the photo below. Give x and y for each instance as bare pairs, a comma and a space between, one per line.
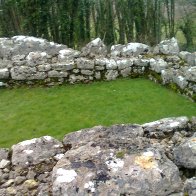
64, 175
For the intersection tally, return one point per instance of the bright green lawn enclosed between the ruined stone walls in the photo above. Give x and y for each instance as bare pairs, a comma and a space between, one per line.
28, 113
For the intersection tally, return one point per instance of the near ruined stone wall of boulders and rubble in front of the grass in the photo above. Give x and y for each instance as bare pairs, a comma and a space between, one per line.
156, 158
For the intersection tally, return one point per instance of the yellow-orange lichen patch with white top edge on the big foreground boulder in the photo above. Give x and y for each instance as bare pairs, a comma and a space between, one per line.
146, 160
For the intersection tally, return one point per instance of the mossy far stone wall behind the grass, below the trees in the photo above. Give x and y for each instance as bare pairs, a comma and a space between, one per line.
29, 60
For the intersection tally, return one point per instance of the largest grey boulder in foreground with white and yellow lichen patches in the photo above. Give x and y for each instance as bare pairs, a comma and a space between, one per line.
94, 170
